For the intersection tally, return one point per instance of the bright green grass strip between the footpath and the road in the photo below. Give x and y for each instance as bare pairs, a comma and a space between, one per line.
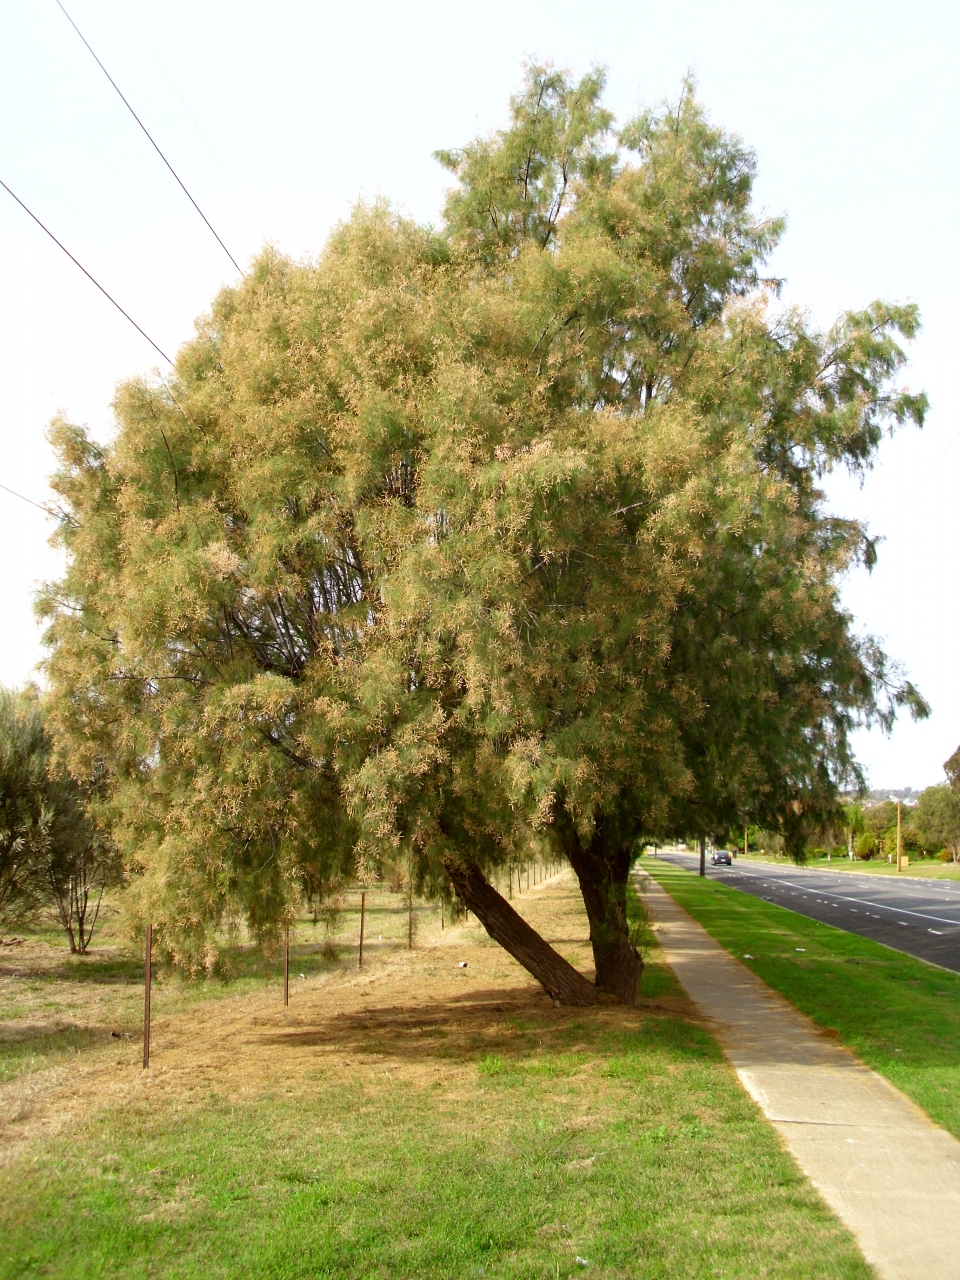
900, 1016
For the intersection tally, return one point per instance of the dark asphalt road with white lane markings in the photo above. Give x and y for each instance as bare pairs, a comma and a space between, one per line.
918, 917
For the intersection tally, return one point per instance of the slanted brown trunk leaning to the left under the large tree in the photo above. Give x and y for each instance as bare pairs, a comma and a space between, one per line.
559, 979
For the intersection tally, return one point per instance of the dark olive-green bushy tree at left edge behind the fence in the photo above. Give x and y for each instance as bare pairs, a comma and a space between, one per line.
52, 856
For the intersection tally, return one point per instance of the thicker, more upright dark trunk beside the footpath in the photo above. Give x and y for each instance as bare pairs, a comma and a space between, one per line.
602, 868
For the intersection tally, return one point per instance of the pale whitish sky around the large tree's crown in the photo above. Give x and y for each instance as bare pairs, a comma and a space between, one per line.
280, 117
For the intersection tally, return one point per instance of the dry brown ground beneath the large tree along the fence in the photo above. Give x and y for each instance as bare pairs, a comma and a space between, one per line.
417, 1014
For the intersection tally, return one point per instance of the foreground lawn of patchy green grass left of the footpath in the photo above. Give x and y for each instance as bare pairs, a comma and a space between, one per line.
509, 1150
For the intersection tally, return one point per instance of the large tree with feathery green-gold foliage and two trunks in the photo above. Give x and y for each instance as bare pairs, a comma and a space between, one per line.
472, 537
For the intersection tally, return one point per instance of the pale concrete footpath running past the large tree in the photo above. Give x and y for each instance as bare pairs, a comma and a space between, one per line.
884, 1168
